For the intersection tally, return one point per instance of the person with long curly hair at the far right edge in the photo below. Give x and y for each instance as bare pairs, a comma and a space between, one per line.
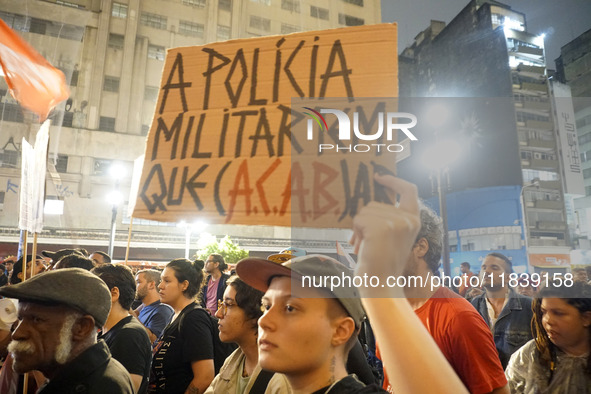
557, 360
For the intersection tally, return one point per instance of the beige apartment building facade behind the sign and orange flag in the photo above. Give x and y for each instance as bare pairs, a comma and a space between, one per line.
112, 54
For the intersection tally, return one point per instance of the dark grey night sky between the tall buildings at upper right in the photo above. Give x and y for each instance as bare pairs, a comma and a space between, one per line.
561, 20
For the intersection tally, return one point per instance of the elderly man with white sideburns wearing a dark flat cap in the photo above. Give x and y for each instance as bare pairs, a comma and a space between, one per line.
59, 313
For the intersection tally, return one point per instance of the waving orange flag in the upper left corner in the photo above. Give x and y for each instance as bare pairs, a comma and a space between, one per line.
33, 81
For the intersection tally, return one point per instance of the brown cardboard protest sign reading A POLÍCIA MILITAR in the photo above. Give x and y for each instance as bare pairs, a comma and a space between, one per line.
226, 145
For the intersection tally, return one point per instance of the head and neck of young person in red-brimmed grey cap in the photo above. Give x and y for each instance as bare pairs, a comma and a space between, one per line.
306, 333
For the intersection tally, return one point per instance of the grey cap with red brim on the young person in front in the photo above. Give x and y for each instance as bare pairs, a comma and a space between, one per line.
258, 273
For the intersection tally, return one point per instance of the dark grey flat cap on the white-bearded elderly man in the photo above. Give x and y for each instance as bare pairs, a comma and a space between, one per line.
73, 287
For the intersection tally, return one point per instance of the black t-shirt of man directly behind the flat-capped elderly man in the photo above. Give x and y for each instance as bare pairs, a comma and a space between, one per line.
129, 344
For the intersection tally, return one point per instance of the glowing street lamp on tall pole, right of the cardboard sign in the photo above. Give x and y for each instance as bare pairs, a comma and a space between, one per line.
438, 158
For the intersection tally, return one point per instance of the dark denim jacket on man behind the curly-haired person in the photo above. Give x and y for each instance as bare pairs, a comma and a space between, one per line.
513, 327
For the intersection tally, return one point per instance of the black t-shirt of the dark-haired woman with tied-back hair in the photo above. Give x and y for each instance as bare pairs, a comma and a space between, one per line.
185, 340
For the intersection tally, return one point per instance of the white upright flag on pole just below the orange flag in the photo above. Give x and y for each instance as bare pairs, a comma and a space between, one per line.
32, 191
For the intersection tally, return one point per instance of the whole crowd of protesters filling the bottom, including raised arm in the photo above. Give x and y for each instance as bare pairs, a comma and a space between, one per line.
76, 322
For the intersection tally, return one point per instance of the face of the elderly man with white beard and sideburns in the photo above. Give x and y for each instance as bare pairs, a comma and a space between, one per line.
41, 340
